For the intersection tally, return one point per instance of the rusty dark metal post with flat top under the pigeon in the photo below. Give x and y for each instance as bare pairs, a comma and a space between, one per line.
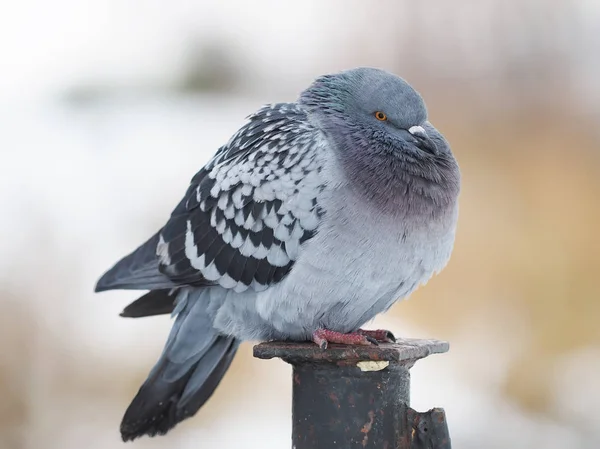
358, 397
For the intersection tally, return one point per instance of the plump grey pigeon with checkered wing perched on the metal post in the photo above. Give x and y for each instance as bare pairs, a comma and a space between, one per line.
316, 216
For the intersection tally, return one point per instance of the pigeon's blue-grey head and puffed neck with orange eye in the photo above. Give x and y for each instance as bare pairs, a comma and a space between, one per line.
378, 125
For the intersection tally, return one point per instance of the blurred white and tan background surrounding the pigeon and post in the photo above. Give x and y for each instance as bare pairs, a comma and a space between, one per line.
107, 109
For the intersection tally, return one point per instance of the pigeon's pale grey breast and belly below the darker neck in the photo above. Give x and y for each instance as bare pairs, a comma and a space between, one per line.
357, 266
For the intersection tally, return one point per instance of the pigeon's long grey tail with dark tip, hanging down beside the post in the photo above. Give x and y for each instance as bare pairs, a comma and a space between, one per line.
193, 363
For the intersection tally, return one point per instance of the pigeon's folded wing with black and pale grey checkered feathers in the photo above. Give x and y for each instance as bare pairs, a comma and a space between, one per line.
247, 213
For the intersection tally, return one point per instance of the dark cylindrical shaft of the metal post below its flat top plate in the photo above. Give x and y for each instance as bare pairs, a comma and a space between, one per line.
344, 407
